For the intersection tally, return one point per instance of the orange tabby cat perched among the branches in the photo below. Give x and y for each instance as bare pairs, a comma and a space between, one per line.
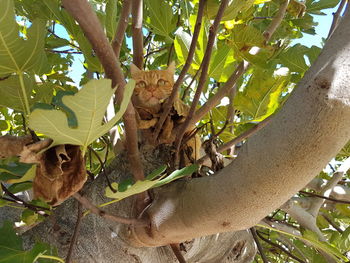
152, 89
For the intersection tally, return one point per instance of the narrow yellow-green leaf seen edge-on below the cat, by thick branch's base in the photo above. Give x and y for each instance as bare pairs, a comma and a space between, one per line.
141, 186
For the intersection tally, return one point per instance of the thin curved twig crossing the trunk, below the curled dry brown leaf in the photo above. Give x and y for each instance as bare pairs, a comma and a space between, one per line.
95, 210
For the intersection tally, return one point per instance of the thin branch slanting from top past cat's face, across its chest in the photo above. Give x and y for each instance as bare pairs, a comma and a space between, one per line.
184, 70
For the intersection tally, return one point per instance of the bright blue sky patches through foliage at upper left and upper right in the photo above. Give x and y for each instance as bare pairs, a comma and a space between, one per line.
322, 29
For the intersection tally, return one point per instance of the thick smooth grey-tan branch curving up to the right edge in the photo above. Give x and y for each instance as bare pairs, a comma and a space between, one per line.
275, 163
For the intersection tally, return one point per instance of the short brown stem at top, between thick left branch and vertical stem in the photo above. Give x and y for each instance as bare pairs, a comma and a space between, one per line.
121, 28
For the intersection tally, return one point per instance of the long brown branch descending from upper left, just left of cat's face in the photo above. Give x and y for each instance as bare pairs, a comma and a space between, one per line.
88, 21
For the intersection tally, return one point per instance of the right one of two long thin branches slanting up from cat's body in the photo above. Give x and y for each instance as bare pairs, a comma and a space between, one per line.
204, 74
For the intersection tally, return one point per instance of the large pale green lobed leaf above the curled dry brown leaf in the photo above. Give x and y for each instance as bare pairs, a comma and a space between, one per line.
89, 105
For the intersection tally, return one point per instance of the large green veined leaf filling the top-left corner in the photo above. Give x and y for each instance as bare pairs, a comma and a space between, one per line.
17, 54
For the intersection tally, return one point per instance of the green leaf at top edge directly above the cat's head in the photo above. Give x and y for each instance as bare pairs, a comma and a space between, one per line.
160, 18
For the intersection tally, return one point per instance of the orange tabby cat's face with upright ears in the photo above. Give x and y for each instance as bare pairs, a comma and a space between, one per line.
152, 87
